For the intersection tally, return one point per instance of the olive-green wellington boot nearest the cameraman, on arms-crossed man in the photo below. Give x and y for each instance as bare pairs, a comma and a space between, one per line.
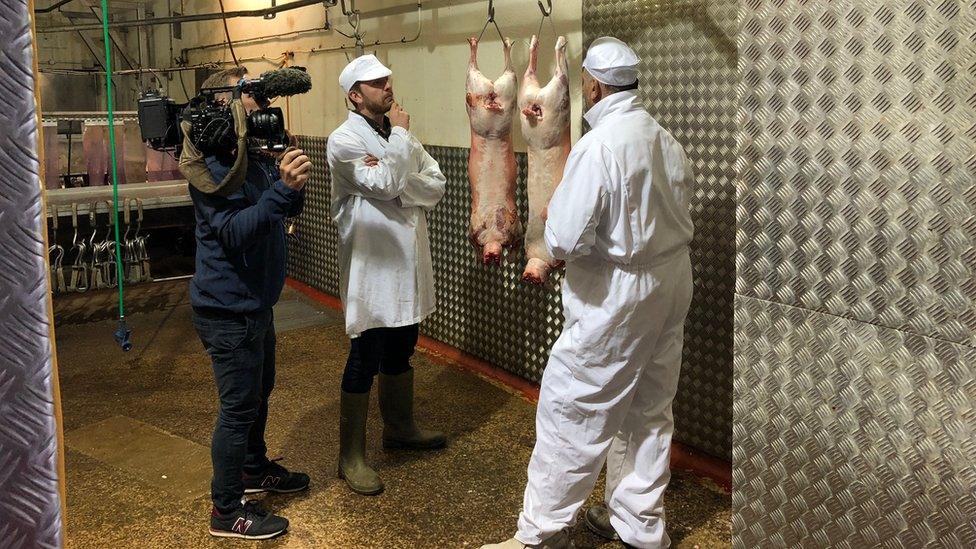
352, 445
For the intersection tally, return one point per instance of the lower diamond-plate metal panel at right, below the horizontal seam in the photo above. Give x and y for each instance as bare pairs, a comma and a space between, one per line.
850, 435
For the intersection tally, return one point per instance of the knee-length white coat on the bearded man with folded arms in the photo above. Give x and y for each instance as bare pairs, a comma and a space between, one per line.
386, 275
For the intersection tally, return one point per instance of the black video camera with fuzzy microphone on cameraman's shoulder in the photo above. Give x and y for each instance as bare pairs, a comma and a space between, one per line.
211, 119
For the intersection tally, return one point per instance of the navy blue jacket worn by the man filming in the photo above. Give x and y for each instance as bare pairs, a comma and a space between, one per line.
241, 248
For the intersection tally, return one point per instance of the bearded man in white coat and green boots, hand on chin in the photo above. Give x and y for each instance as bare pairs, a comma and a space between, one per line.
383, 185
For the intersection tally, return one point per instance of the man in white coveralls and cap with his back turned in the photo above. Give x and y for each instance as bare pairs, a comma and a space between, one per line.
620, 219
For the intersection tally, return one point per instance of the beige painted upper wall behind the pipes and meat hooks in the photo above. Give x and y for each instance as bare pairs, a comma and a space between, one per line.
429, 74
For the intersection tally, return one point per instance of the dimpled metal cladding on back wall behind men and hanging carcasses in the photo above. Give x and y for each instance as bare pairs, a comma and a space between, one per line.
689, 76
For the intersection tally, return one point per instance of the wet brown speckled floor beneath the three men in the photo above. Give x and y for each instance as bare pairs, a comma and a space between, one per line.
464, 496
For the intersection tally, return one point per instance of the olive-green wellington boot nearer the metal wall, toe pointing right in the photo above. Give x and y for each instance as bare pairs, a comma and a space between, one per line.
396, 406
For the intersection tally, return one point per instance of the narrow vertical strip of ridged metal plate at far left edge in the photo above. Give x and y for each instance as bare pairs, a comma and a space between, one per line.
30, 512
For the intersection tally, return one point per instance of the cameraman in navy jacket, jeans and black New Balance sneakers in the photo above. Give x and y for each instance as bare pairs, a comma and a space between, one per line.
240, 271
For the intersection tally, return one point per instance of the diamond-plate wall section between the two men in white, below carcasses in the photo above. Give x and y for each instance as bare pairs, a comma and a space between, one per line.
487, 311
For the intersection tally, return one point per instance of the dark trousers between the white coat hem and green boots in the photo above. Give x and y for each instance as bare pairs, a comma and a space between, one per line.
386, 350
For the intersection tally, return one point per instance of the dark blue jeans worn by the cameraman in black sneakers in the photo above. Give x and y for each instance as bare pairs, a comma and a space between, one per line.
242, 350
